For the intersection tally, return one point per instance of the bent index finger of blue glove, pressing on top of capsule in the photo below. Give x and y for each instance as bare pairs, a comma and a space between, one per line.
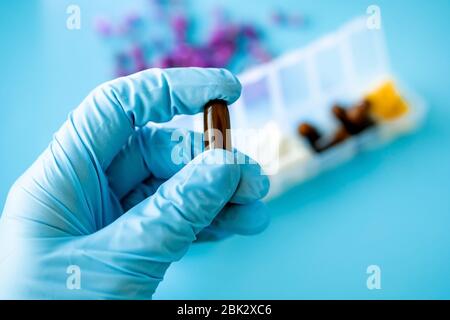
104, 121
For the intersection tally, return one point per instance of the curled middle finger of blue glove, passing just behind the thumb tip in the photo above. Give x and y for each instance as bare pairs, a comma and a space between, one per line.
149, 154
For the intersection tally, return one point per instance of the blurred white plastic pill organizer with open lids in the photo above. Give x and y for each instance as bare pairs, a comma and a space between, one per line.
303, 85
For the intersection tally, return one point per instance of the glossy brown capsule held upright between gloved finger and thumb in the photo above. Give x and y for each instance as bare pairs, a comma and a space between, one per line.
216, 125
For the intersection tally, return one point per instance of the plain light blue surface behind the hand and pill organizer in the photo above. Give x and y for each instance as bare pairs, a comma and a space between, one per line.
388, 207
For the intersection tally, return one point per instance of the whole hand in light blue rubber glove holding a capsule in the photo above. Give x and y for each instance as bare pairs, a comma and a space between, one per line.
104, 211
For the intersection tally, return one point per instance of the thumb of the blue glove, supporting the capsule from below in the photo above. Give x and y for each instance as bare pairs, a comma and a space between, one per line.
162, 227
